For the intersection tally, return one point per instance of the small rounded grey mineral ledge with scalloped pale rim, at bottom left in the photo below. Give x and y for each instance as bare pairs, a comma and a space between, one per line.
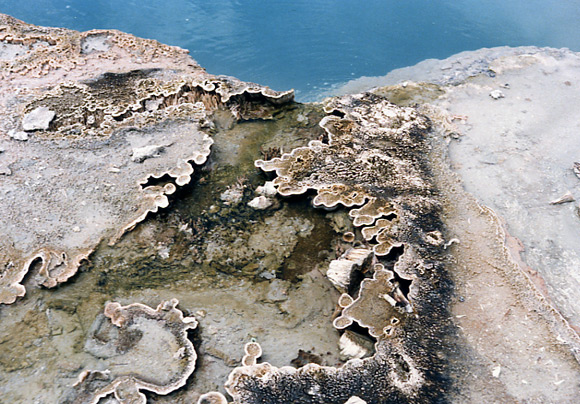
141, 349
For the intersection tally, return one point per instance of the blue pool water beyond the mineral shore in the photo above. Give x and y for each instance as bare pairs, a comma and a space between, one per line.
311, 45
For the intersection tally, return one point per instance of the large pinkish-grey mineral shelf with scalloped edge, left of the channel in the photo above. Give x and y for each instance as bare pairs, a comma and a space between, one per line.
115, 125
